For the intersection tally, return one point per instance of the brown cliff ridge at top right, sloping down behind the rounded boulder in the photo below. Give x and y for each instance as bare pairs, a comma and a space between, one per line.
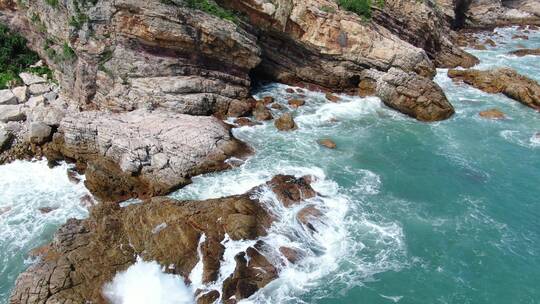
423, 24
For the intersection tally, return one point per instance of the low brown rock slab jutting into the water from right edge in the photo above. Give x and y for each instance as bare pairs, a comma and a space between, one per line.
505, 81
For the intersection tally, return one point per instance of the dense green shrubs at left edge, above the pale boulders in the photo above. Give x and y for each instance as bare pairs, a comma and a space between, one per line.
16, 57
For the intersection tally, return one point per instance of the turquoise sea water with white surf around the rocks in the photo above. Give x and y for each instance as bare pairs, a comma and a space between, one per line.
414, 212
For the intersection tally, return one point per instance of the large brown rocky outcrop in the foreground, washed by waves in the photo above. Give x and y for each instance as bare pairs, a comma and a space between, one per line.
86, 254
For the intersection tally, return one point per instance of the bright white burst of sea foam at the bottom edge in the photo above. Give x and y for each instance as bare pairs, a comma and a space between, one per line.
145, 282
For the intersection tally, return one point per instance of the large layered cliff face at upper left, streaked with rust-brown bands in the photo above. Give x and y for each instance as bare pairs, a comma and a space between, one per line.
128, 54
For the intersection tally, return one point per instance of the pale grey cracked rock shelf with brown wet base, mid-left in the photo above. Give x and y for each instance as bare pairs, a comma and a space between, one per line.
144, 153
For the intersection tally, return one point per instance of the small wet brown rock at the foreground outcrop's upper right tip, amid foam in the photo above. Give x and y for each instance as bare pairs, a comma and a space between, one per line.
290, 190
